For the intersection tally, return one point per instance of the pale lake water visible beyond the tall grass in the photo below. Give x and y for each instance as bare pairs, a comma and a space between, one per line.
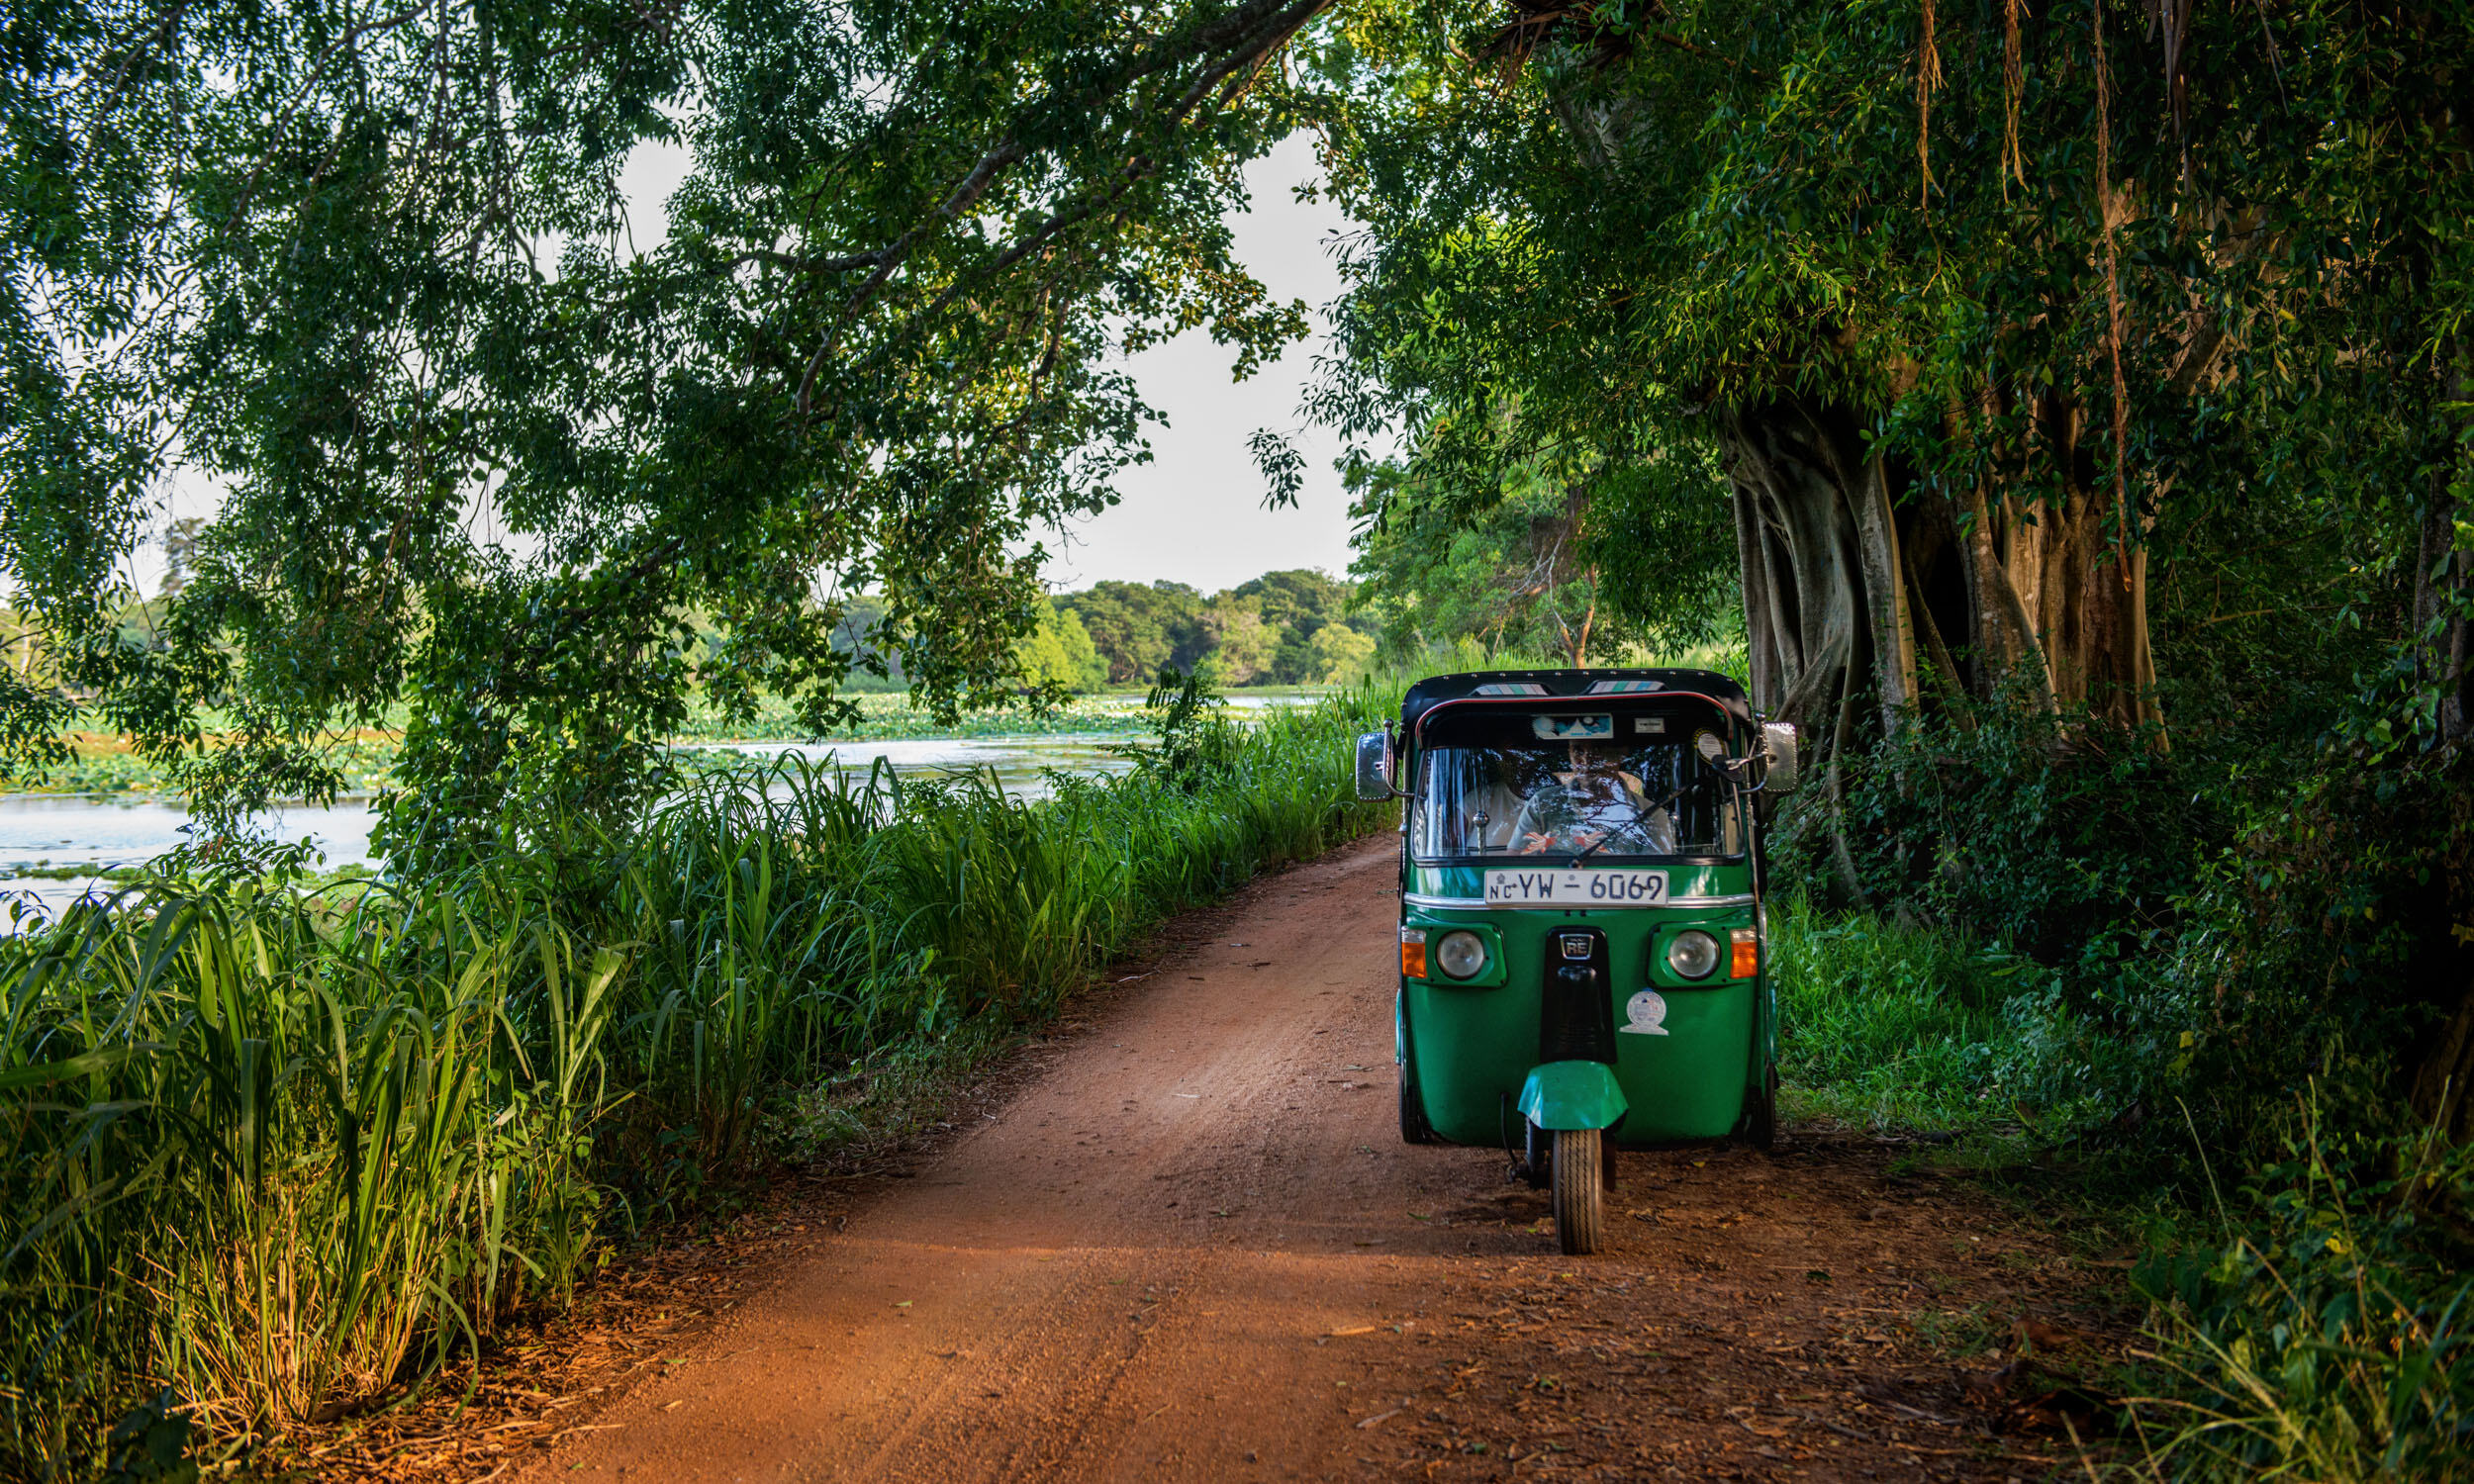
71, 830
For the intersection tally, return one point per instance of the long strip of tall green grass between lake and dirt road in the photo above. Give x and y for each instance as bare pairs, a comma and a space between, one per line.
276, 1154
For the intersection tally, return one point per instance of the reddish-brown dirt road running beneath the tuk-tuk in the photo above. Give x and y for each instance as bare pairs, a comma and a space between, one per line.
1194, 1248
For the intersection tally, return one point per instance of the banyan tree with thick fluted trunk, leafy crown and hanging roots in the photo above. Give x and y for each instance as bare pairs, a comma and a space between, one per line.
1978, 305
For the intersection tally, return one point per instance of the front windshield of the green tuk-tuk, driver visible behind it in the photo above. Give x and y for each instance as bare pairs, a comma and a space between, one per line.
1609, 800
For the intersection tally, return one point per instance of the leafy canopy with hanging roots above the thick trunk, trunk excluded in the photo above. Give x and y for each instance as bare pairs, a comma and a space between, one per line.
2208, 266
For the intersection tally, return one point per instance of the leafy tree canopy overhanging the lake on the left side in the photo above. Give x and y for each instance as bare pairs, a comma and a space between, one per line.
375, 271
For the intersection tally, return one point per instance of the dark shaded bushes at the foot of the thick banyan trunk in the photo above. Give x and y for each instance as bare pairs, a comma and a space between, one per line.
2220, 926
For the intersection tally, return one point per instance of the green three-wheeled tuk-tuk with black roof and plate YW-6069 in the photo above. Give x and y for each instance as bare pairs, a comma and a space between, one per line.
1582, 956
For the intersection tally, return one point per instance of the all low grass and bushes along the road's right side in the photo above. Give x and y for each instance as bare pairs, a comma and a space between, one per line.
2104, 996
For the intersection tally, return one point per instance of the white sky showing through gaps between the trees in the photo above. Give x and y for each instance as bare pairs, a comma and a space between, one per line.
1194, 513
